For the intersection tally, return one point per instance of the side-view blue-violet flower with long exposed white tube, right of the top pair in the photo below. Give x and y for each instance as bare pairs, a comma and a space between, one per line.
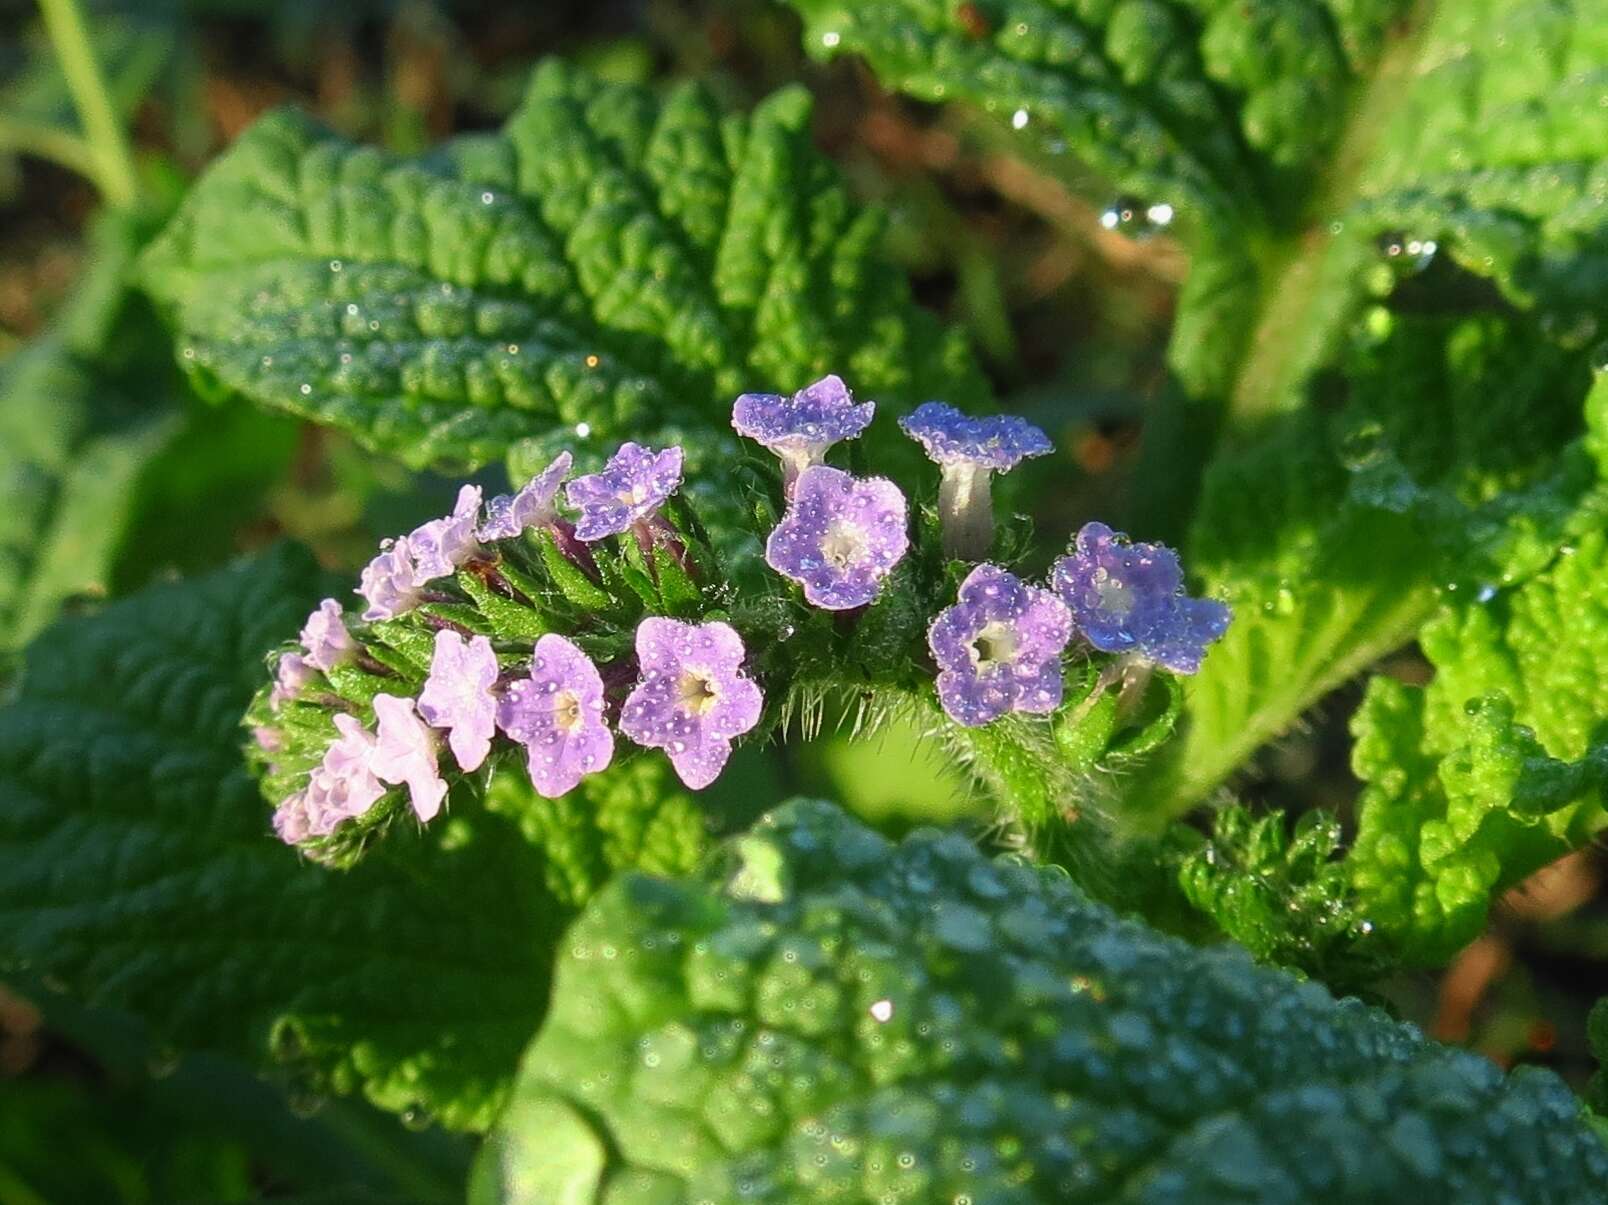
969, 451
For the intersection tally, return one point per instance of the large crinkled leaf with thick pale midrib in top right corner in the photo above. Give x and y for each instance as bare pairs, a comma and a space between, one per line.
1290, 138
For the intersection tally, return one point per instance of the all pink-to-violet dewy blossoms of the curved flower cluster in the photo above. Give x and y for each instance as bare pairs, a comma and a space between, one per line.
998, 649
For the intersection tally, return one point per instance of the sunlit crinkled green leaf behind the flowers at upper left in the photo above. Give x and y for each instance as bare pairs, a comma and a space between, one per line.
607, 263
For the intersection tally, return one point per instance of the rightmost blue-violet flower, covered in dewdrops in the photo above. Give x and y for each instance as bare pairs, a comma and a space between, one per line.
1130, 599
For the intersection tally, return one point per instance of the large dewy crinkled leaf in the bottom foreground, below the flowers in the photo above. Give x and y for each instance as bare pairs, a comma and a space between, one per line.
824, 1016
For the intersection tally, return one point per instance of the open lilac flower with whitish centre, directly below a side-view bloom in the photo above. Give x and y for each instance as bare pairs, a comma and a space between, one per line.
840, 538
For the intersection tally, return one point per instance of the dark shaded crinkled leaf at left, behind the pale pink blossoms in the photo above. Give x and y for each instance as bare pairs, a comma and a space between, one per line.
137, 865
